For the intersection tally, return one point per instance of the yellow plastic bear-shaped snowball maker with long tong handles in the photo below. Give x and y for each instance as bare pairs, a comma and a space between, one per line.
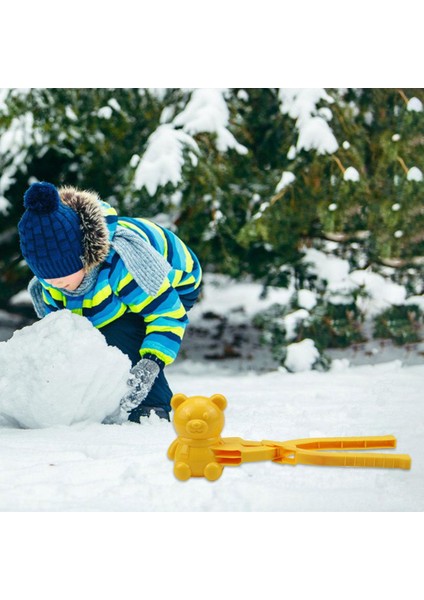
200, 451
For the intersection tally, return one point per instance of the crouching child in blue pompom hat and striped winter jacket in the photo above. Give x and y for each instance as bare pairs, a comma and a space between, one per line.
134, 280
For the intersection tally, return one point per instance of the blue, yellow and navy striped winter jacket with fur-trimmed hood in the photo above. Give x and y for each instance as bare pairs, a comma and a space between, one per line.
116, 292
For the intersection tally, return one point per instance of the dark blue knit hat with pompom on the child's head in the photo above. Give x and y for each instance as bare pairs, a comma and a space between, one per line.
50, 233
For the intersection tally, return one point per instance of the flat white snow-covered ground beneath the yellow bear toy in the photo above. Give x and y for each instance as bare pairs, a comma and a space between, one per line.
124, 468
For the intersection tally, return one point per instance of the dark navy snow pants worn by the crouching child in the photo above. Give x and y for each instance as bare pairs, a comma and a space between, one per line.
127, 333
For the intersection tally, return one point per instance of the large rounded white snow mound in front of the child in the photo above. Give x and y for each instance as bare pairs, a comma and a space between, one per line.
60, 371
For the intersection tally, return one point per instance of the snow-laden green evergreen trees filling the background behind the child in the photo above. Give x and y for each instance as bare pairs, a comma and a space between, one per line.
251, 178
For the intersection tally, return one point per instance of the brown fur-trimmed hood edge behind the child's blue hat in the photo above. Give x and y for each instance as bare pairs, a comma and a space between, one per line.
95, 230
